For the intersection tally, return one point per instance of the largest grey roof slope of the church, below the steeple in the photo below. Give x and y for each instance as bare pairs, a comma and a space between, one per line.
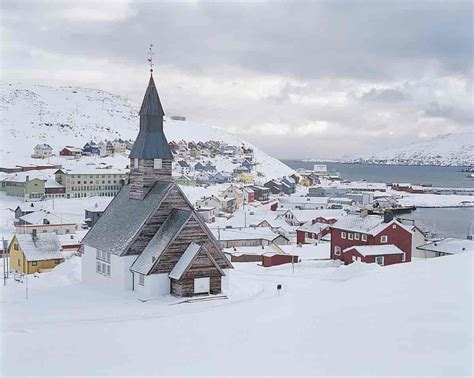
123, 219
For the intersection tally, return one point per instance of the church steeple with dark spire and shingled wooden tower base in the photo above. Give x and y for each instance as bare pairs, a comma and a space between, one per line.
151, 156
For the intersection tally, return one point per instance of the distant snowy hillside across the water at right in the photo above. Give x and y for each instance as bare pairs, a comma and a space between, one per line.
447, 149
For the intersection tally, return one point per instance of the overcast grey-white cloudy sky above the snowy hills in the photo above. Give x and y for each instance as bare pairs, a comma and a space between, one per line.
297, 78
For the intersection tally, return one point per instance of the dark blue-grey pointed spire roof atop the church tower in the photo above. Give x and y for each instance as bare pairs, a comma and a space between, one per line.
151, 142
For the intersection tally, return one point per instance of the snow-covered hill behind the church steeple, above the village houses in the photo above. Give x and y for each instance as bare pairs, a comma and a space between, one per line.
60, 116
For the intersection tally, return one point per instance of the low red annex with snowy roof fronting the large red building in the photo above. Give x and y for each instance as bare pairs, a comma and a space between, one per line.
387, 254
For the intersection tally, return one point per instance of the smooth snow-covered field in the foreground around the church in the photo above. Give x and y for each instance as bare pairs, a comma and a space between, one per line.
409, 319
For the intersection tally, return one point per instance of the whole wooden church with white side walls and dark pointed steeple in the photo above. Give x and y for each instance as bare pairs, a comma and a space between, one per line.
150, 239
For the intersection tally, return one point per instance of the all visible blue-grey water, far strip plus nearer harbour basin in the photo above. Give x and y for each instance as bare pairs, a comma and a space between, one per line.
447, 222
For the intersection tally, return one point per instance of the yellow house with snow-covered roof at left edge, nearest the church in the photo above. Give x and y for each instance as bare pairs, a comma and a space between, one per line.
31, 253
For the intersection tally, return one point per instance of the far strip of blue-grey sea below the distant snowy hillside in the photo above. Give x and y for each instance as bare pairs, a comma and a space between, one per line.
448, 177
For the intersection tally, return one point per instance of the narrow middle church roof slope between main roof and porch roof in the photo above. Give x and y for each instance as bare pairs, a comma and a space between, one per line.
160, 241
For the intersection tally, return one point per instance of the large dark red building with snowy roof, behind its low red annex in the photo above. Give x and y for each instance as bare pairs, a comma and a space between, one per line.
357, 230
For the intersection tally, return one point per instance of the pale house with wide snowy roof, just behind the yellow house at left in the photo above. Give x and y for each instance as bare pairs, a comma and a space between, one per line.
43, 221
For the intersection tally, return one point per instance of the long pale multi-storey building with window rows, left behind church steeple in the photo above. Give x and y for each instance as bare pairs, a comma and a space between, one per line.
85, 182
